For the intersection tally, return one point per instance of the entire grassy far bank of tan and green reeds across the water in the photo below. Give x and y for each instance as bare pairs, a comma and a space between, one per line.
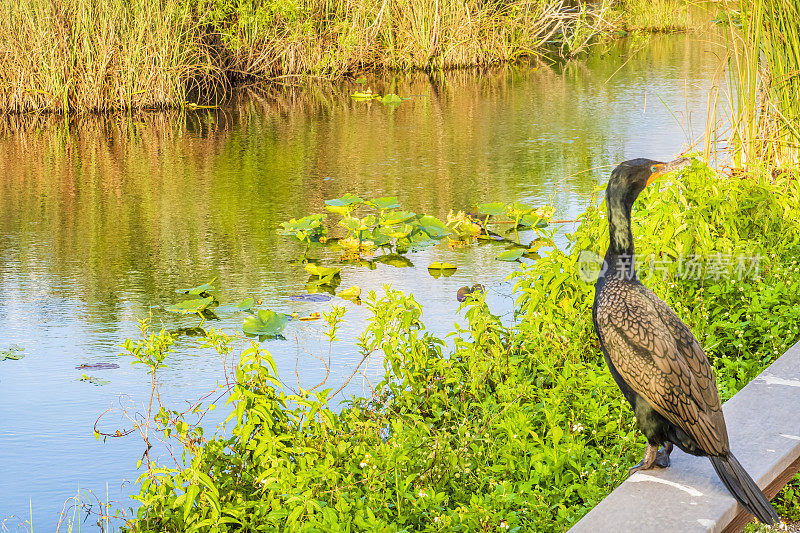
88, 55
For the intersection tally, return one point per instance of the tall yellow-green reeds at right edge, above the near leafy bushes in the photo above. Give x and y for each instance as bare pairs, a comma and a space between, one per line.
764, 67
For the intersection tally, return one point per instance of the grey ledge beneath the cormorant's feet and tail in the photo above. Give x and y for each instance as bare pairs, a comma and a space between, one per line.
764, 429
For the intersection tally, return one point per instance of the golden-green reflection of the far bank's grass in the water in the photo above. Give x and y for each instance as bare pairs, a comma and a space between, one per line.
116, 202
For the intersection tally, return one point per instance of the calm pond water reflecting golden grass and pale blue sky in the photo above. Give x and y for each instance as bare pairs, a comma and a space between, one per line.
104, 218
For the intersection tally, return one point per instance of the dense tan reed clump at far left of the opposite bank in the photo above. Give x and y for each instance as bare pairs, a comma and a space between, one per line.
101, 55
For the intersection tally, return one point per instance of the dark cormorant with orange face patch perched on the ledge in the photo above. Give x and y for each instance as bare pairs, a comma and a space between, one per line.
653, 356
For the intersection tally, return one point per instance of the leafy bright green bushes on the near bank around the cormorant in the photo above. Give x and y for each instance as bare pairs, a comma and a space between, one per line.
515, 427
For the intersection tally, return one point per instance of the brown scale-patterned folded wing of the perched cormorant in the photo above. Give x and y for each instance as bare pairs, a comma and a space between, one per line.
659, 358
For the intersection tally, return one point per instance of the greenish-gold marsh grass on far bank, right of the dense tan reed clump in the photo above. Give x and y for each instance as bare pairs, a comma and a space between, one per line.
331, 37
